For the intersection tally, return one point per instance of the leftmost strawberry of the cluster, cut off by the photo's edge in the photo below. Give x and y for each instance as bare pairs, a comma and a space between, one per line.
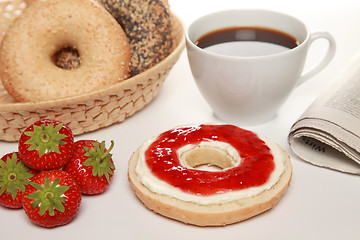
14, 176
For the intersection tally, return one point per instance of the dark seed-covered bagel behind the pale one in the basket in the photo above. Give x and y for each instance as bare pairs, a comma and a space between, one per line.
147, 24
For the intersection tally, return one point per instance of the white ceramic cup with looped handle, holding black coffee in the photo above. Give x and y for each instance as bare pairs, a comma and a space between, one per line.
249, 90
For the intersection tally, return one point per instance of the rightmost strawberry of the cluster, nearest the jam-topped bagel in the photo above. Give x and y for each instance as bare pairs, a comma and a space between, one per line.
91, 166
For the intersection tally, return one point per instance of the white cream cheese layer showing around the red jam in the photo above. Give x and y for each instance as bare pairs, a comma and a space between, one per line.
158, 186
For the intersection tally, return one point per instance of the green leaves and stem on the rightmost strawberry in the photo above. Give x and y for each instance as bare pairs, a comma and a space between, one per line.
99, 159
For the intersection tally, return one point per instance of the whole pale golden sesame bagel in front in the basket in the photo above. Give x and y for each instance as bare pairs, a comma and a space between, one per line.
27, 52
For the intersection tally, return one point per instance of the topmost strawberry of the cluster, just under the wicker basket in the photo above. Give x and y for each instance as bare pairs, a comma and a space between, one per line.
46, 145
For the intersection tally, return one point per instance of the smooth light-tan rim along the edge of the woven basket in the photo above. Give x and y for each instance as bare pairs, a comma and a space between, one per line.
127, 84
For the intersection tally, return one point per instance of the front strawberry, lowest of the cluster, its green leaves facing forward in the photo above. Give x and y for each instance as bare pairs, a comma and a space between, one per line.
52, 198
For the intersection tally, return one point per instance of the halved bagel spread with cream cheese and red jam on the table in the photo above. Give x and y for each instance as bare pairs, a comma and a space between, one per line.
254, 174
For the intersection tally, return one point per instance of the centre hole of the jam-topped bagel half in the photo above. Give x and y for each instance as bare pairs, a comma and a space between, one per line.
207, 159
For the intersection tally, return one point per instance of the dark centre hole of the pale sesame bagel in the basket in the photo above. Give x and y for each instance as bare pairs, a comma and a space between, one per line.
67, 58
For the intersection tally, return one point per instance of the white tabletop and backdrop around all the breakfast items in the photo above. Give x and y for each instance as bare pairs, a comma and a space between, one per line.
320, 203
